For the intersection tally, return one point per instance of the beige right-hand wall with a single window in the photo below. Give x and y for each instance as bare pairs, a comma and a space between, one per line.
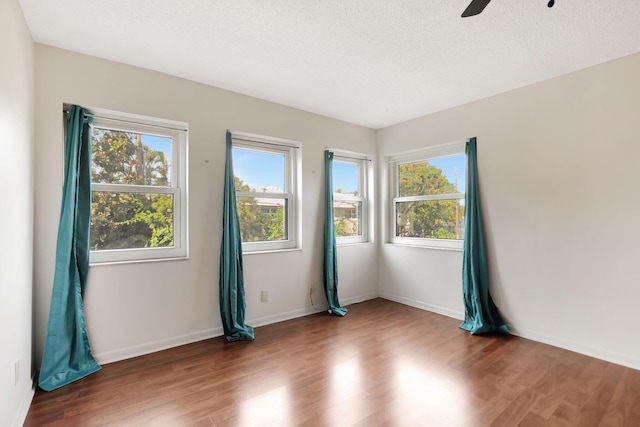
559, 178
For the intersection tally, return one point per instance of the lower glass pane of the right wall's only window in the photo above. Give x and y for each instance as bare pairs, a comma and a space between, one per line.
432, 219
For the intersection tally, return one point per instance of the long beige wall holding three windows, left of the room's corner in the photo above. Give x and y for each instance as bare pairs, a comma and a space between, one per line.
138, 308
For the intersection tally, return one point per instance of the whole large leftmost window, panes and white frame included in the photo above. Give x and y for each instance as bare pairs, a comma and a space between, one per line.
138, 184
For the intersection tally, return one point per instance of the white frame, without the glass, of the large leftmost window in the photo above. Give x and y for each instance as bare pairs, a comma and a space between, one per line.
178, 132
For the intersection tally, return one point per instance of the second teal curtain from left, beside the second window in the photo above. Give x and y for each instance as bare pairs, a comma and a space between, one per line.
232, 302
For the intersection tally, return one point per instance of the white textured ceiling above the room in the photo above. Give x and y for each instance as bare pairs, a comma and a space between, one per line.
370, 62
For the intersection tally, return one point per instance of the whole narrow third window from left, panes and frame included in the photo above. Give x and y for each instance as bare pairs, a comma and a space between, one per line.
350, 197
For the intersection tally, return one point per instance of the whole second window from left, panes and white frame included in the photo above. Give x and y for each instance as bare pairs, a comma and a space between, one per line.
266, 176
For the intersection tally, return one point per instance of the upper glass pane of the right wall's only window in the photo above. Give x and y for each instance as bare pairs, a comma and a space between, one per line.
443, 175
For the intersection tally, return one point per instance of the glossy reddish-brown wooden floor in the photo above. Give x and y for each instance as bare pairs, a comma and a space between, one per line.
384, 364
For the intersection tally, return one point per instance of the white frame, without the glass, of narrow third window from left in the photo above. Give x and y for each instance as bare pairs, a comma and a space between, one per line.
365, 194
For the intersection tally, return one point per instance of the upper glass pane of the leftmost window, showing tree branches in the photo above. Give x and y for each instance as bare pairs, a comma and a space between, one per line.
130, 158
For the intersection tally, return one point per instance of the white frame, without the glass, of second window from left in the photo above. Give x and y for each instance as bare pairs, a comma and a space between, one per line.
291, 150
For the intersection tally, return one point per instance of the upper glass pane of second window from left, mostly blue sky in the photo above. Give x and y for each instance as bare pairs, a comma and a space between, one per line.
258, 171
